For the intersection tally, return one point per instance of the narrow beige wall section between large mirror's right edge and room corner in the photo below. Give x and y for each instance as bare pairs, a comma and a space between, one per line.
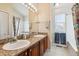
33, 21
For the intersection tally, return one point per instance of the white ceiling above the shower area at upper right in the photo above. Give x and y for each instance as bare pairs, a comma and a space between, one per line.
63, 8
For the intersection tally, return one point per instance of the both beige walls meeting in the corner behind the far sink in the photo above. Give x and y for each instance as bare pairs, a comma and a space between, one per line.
40, 21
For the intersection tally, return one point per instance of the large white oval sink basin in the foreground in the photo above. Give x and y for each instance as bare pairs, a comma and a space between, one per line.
16, 45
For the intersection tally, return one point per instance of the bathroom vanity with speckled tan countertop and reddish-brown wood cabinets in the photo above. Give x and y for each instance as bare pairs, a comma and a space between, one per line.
37, 47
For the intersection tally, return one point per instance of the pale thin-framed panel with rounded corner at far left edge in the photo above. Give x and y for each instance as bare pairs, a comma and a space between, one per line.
4, 23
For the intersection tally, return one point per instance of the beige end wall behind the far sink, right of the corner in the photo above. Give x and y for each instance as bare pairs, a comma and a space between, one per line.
44, 17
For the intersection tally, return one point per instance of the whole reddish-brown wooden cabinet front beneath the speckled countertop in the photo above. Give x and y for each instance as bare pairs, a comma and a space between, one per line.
38, 49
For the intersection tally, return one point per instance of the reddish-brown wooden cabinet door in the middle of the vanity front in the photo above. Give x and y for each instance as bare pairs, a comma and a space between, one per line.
34, 50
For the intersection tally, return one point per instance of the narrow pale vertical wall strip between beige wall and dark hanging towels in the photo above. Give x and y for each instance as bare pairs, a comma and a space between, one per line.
52, 23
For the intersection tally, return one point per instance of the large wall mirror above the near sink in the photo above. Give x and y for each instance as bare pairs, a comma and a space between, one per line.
14, 21
